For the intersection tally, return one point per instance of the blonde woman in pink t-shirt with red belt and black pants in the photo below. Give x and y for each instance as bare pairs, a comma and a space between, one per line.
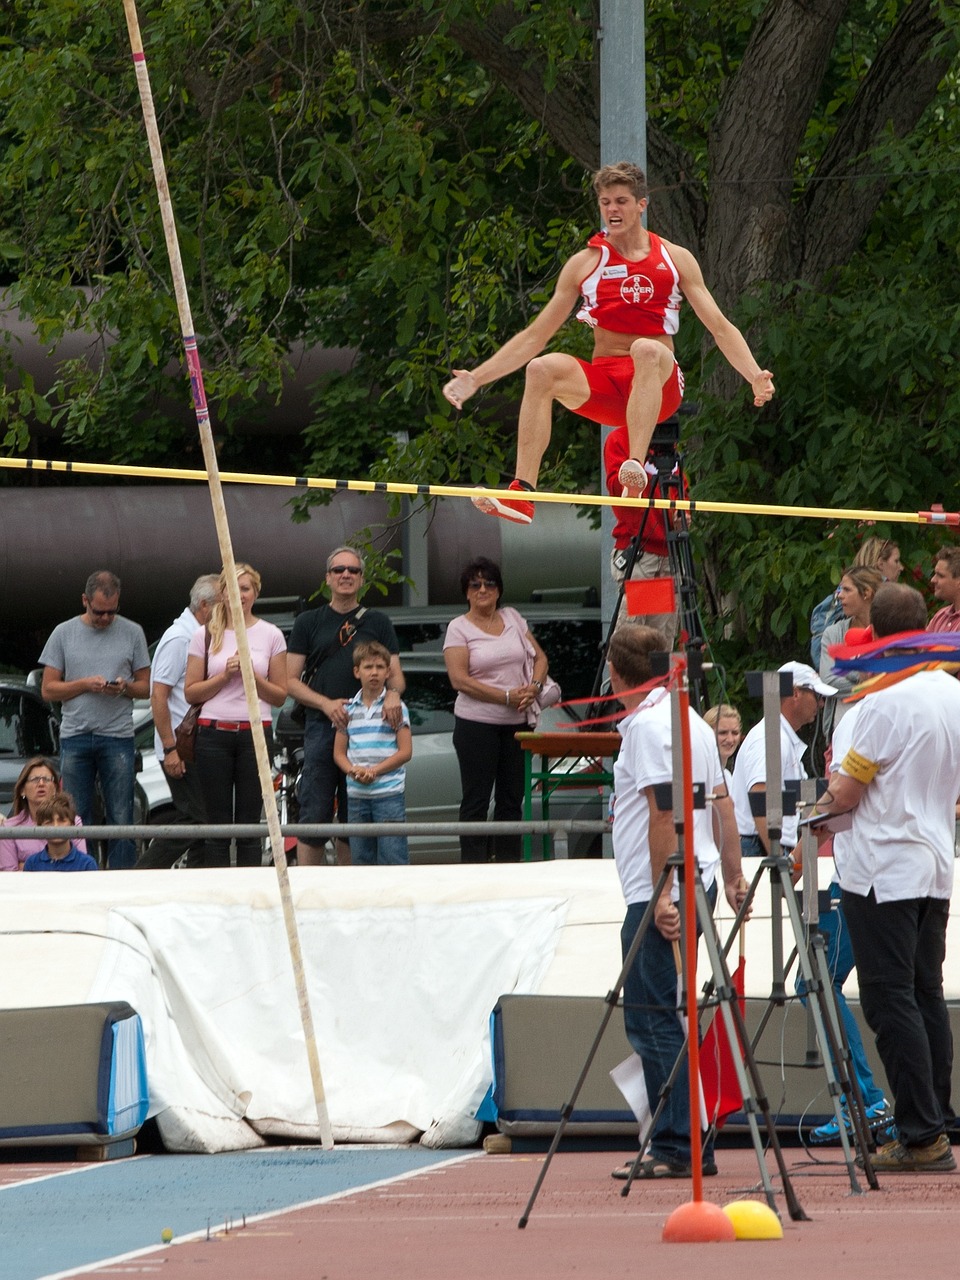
226, 758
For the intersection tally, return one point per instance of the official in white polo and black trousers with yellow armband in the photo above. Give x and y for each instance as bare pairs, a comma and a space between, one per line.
900, 779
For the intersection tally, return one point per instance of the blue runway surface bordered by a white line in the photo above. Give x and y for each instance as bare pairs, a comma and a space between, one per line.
102, 1212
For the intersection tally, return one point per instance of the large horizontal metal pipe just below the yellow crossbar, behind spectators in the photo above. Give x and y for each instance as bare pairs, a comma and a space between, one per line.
158, 538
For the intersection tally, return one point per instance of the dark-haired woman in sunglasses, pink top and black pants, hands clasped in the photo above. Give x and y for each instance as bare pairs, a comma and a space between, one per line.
488, 652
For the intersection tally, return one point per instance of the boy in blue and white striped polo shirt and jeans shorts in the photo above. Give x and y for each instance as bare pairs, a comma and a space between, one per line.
373, 756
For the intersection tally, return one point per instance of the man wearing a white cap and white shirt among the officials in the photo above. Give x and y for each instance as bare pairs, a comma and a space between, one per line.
751, 772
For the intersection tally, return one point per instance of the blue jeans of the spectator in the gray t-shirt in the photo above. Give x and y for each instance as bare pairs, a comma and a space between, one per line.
84, 760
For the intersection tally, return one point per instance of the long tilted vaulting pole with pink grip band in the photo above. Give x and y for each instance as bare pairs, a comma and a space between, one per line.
223, 534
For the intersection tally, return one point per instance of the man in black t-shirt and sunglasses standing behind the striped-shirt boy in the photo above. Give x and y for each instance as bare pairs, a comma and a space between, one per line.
321, 676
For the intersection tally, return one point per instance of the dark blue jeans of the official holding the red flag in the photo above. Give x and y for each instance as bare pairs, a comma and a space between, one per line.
655, 1032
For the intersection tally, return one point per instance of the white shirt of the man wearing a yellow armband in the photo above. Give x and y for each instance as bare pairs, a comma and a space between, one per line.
906, 744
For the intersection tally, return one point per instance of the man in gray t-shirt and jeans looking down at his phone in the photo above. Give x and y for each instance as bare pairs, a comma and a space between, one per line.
95, 666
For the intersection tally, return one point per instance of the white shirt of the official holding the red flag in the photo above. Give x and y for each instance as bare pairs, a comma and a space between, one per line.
647, 760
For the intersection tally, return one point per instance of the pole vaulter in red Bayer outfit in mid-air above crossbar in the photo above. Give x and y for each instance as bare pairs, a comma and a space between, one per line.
630, 284
